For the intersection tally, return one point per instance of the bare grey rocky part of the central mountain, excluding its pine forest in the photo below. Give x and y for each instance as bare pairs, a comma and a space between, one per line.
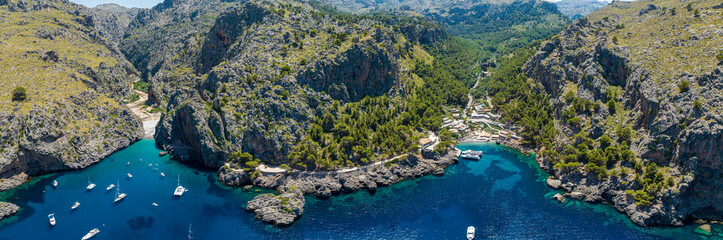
250, 77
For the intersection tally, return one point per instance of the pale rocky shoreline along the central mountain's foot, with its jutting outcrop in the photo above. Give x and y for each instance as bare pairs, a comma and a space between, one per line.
326, 184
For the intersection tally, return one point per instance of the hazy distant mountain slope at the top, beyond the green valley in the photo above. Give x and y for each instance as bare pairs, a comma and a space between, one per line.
493, 27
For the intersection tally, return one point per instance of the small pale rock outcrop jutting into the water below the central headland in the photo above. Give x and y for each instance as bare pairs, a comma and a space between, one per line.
280, 210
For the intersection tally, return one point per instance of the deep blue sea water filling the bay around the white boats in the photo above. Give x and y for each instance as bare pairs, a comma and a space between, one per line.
503, 195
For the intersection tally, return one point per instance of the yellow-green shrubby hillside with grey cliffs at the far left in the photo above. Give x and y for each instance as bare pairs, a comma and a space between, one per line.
60, 92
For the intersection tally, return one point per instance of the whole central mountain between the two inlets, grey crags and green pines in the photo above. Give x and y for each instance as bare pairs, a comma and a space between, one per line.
293, 83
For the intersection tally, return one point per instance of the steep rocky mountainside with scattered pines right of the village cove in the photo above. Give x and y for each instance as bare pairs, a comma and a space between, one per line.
651, 67
